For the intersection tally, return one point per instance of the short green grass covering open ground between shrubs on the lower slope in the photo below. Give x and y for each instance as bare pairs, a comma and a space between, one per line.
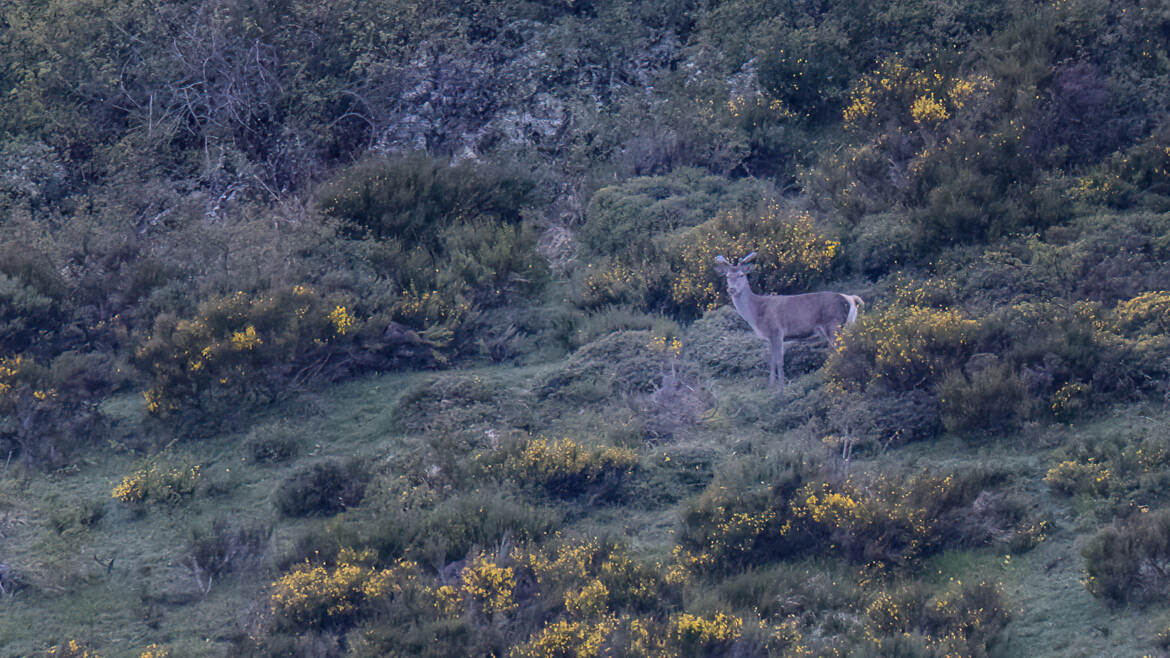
121, 584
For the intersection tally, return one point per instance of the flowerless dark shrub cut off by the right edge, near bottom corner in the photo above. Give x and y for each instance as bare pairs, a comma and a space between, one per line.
1128, 561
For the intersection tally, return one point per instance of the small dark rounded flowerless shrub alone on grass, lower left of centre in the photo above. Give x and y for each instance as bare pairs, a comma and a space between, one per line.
326, 488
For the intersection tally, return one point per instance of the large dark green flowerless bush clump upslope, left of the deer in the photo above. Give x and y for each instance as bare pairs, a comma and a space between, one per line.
451, 239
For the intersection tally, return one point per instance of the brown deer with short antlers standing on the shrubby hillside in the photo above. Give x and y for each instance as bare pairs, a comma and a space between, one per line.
776, 318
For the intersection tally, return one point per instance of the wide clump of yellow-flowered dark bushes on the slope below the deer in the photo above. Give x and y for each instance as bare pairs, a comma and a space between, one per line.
891, 522
